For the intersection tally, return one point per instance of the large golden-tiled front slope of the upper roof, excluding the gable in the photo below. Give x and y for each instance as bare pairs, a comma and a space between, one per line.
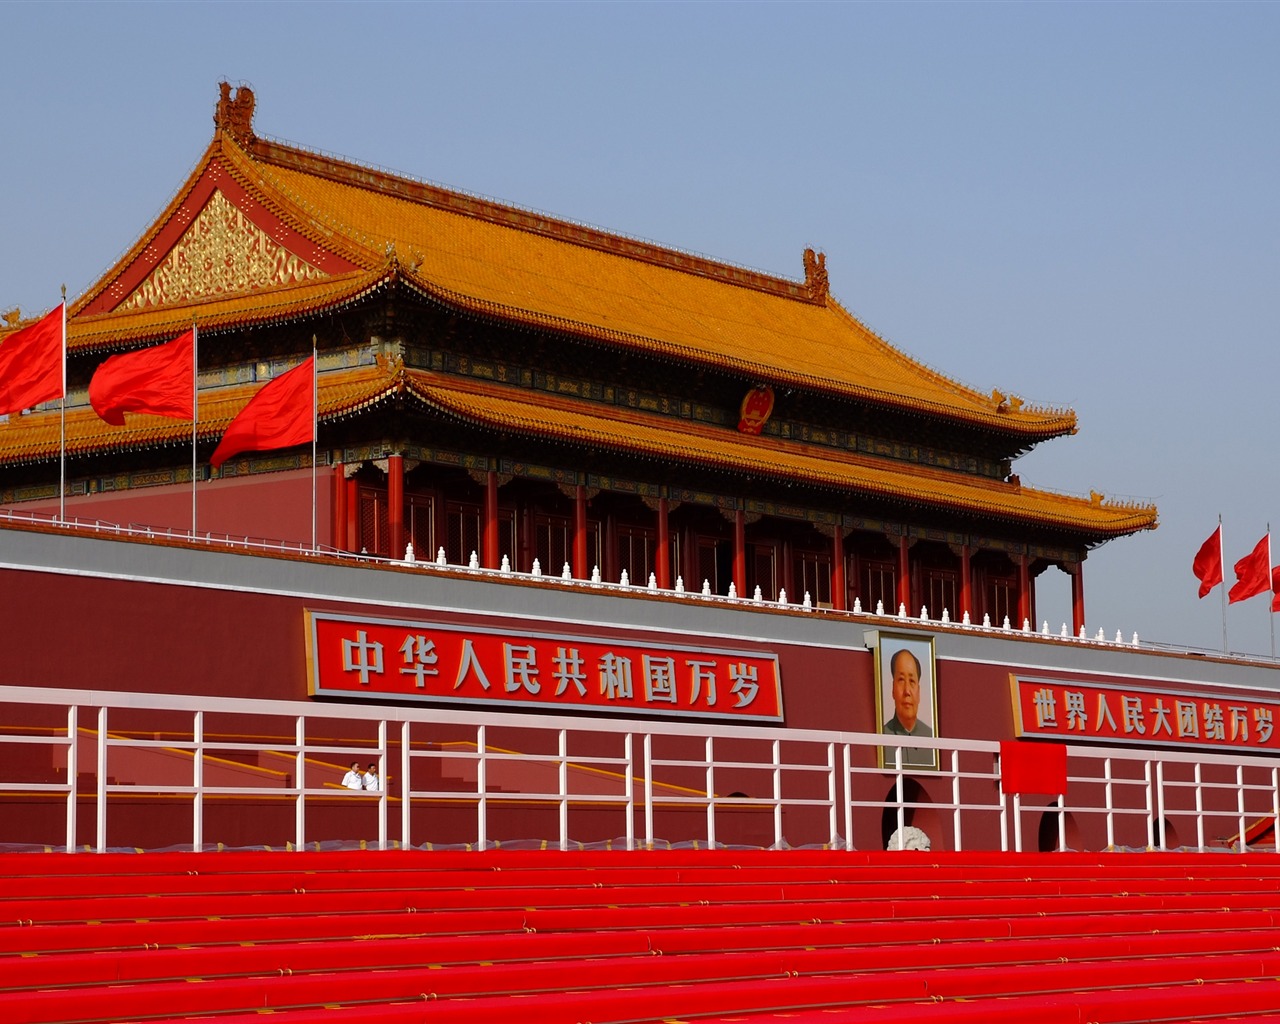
647, 303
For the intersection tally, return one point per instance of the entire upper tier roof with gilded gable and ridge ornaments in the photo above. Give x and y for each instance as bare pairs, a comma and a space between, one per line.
314, 231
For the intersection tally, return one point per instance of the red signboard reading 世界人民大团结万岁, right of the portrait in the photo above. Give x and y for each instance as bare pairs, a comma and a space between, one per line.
1124, 715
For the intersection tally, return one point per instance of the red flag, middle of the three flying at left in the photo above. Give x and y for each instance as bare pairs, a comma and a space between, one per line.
157, 381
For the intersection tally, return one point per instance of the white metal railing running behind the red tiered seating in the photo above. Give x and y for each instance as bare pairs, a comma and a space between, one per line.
643, 784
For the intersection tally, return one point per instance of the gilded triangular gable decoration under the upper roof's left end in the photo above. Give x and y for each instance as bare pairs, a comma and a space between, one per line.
222, 253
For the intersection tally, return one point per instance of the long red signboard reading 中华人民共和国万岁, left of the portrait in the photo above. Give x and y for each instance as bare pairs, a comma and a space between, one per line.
394, 660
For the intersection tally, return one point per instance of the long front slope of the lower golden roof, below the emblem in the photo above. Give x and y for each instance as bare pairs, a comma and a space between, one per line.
696, 445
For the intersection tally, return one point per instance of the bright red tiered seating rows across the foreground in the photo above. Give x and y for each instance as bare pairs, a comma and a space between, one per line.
665, 936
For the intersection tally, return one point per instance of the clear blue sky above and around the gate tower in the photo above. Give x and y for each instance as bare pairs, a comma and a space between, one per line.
1073, 203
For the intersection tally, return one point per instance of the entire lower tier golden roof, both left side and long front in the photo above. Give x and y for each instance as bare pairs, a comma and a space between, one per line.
35, 438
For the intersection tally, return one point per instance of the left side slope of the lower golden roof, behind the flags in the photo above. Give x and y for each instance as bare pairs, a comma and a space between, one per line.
35, 437
